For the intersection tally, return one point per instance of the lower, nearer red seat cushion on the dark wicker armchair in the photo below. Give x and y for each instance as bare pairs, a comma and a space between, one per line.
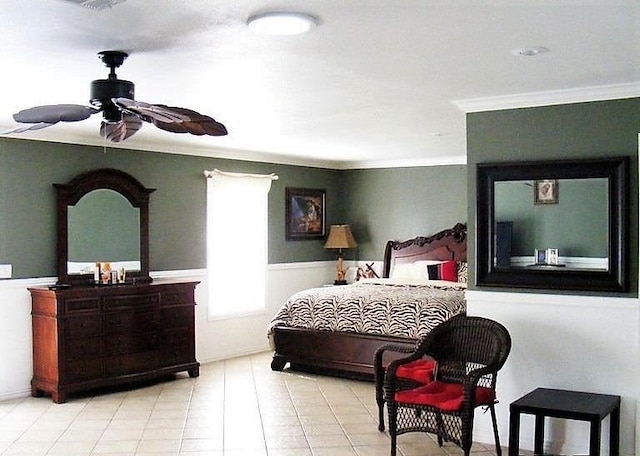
444, 396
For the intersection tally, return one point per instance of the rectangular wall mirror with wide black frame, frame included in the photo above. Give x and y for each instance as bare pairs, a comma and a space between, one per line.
553, 225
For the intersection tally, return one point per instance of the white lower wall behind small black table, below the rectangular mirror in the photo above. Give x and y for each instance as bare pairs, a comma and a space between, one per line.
583, 343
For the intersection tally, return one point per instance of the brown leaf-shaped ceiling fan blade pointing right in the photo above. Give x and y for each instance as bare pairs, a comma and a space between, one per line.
173, 119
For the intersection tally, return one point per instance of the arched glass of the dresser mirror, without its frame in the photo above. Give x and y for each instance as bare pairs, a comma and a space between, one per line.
103, 226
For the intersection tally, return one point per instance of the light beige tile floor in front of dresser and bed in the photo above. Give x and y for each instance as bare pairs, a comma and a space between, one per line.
237, 407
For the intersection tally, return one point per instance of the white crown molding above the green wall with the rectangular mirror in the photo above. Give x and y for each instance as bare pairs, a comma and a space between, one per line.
551, 97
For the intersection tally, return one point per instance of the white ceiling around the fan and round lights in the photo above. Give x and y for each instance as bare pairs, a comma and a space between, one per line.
377, 83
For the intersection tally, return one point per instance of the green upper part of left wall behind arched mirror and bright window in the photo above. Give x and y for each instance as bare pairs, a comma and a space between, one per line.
177, 210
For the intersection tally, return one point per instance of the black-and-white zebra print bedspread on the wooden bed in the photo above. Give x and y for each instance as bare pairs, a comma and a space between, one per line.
373, 308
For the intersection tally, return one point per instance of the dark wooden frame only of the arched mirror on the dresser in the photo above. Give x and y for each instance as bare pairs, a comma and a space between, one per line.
112, 179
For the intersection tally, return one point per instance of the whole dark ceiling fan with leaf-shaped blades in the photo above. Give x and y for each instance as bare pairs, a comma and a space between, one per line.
122, 115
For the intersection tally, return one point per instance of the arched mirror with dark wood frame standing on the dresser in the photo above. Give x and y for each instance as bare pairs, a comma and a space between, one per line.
103, 216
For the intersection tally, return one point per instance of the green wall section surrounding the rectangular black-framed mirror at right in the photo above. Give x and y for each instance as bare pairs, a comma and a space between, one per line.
573, 131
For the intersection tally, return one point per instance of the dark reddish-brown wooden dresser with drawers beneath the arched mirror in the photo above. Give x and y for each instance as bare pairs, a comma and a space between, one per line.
93, 337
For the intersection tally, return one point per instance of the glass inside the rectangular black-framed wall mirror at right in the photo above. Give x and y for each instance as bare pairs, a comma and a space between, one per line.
529, 234
